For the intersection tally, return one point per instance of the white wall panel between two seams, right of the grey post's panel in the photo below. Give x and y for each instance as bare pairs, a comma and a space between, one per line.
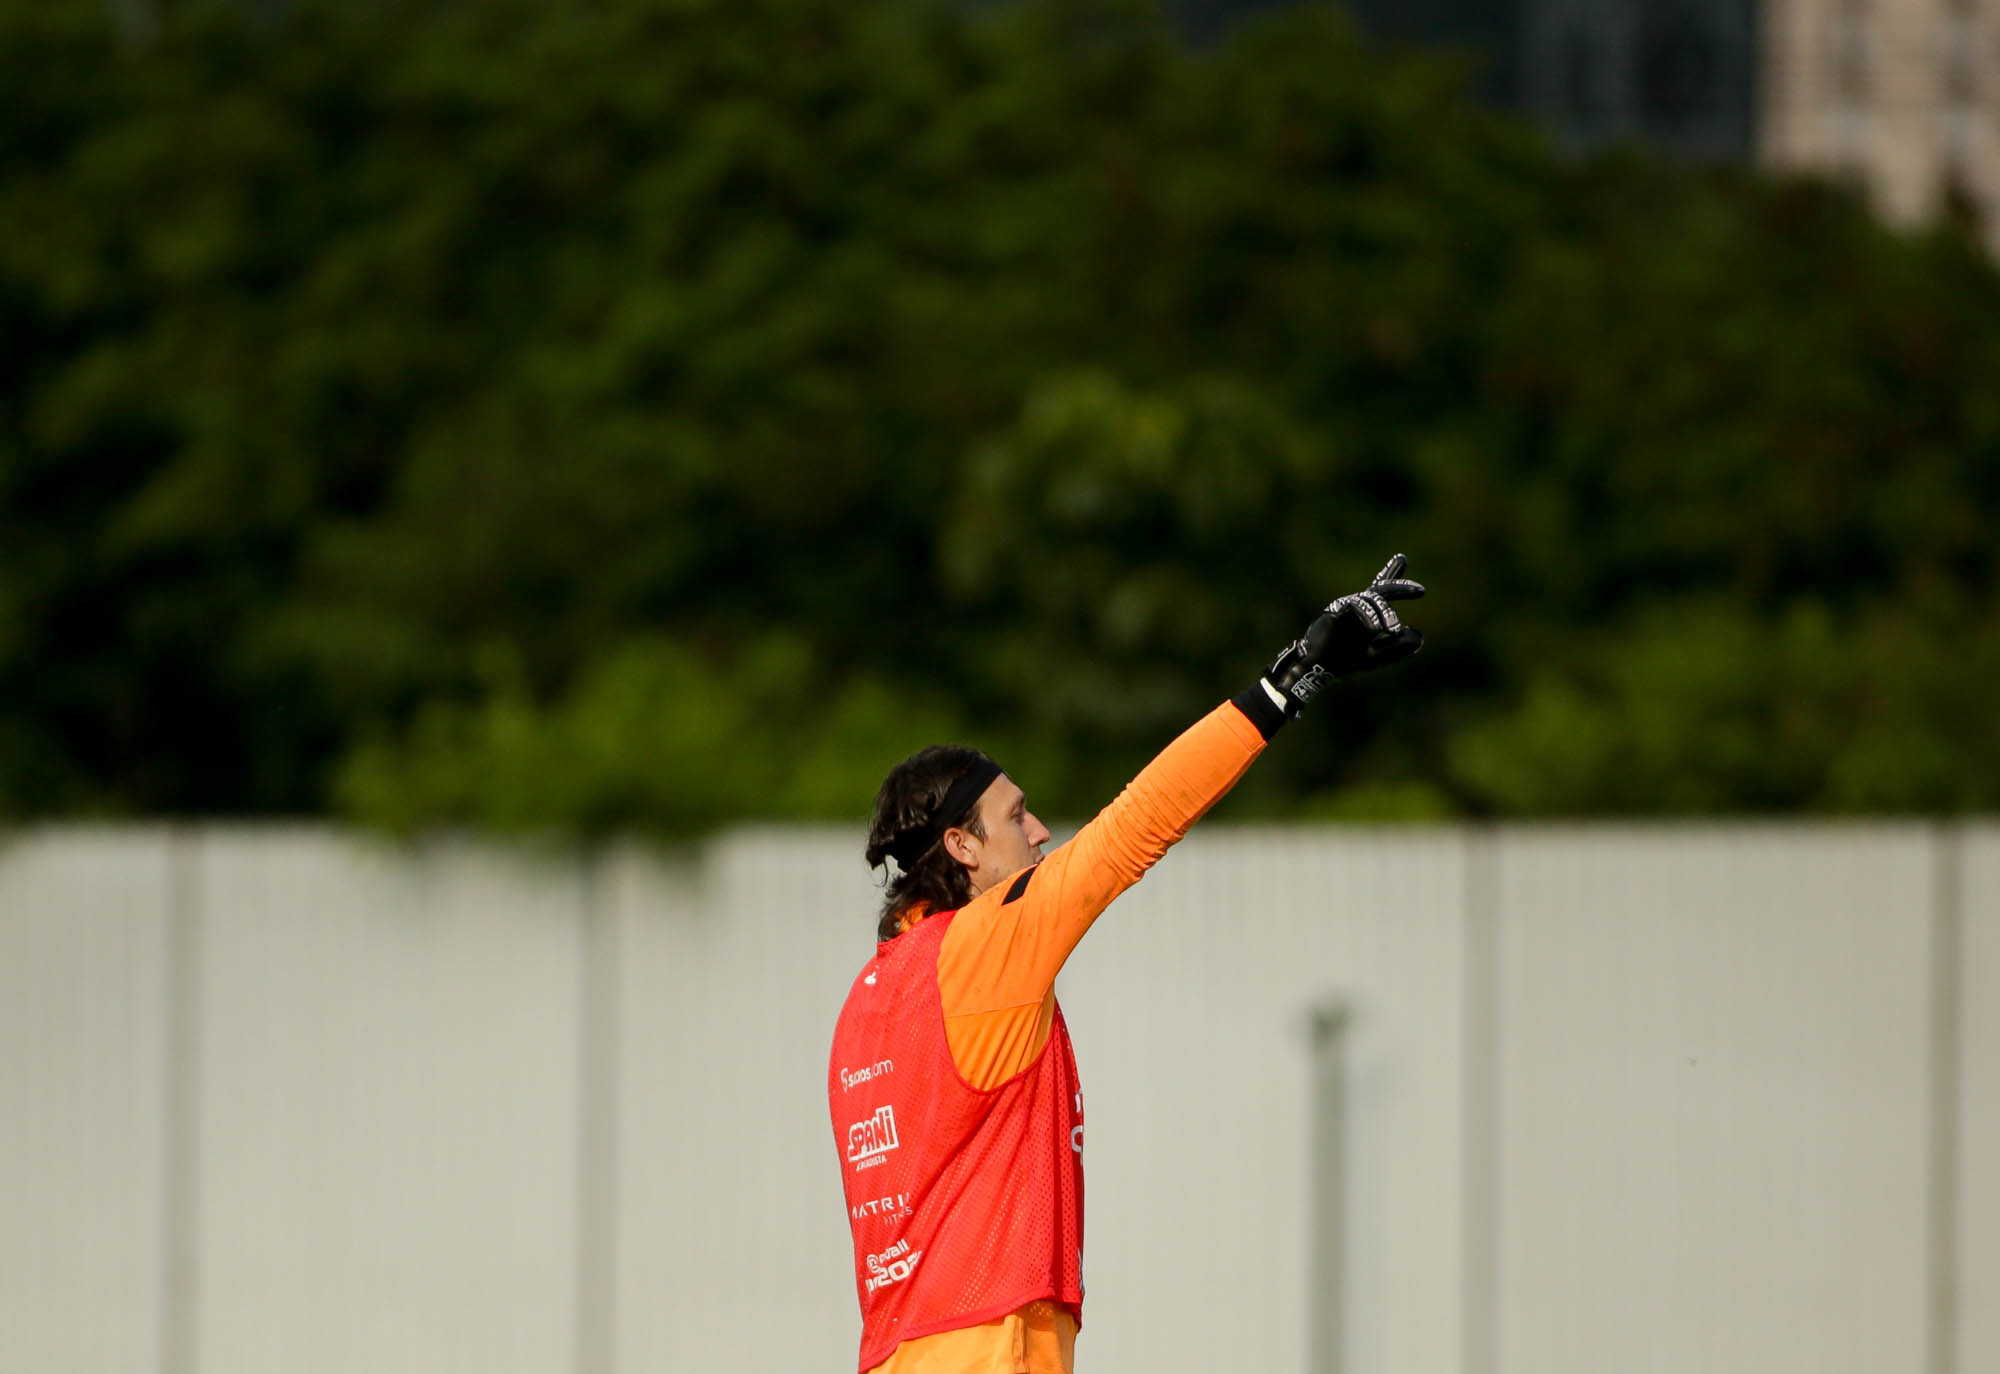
1713, 1079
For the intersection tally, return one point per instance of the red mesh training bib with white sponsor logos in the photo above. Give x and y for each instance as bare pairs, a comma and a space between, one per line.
965, 1205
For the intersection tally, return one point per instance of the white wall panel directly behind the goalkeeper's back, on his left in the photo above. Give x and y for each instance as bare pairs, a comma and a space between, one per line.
733, 1237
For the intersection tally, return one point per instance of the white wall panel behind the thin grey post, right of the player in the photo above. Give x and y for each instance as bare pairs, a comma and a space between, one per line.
1191, 1009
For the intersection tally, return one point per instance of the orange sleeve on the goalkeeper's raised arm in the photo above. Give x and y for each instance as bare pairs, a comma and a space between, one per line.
1007, 945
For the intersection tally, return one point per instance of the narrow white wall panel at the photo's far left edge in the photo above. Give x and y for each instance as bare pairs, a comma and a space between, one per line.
83, 1099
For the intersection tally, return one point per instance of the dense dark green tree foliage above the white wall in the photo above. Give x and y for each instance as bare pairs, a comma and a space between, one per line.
659, 413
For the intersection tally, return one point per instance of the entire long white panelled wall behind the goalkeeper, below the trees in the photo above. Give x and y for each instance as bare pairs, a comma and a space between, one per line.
1523, 1101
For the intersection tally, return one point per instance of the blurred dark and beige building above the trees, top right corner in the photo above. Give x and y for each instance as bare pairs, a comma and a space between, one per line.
1899, 97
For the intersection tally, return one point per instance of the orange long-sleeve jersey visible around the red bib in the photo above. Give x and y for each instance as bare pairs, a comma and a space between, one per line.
997, 981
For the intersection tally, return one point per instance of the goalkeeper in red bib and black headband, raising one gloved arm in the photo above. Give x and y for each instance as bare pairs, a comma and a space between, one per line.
953, 1087
